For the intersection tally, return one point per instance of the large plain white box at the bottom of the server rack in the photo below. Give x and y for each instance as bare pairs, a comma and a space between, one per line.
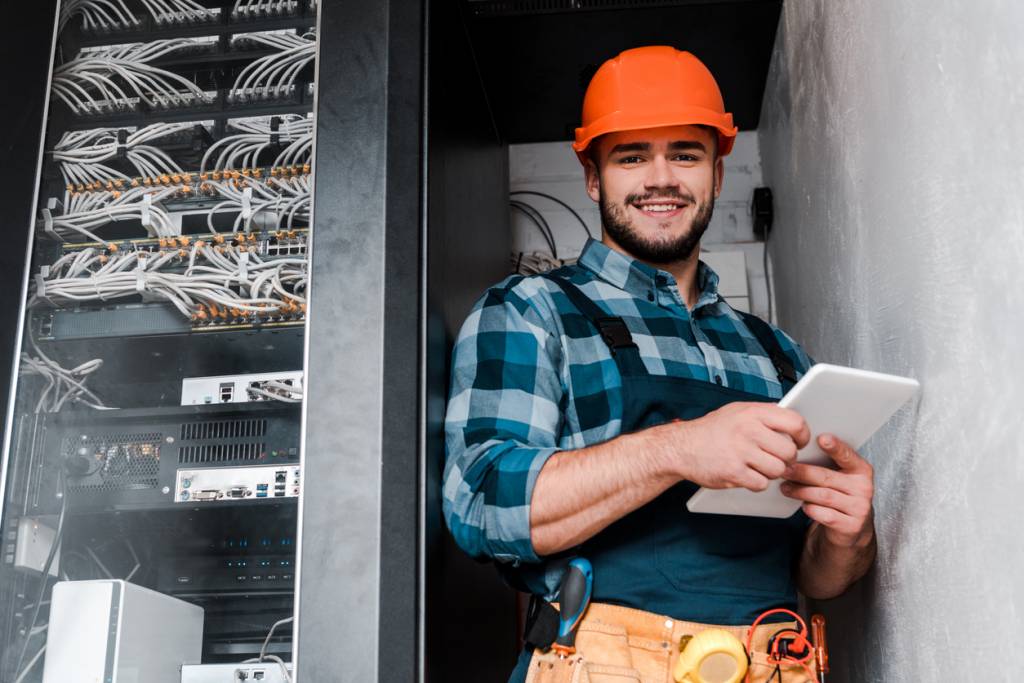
111, 631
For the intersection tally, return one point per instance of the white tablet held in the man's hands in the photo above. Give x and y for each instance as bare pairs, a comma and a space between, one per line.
850, 404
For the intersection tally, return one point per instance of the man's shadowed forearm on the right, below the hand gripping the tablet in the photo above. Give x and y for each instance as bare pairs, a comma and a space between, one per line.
827, 570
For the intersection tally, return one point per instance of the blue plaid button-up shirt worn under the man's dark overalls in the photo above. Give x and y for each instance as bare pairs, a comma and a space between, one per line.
524, 389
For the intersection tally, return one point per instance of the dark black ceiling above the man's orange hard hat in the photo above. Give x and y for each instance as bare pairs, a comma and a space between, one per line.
536, 57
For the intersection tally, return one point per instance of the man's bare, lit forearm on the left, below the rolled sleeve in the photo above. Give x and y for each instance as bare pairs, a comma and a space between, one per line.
580, 493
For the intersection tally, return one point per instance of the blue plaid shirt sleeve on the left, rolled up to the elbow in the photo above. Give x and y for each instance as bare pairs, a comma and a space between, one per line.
503, 420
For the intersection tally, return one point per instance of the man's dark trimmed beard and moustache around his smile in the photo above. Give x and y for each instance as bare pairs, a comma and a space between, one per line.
661, 252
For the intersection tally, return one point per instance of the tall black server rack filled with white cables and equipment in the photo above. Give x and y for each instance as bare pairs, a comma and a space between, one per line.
189, 491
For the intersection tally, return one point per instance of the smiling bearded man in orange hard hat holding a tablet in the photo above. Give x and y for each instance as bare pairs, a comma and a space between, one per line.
588, 405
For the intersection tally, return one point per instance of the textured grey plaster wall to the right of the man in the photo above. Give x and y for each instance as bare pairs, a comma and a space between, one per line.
891, 137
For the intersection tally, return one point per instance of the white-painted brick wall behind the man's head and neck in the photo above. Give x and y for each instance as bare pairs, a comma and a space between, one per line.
553, 168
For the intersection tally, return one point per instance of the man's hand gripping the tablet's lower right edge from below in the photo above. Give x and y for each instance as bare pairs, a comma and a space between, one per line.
839, 500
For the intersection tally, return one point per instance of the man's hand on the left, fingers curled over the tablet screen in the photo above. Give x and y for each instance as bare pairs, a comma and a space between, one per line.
742, 445
